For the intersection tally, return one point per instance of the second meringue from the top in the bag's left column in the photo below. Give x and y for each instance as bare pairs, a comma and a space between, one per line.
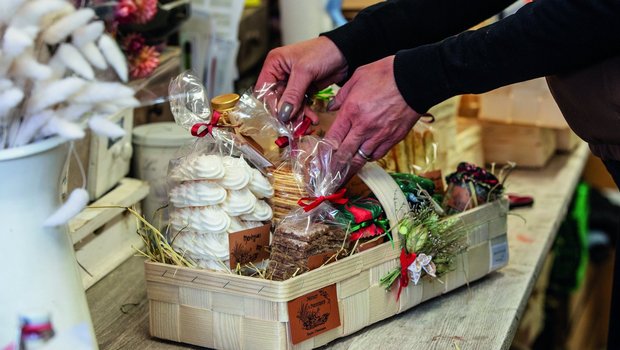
197, 193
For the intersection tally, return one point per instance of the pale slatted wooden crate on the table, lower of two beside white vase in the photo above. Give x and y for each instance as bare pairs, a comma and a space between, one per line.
103, 237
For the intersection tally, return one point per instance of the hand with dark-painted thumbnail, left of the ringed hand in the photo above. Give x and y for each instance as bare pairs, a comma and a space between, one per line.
314, 63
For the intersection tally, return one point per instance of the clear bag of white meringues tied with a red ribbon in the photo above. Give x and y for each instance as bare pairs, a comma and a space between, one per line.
218, 192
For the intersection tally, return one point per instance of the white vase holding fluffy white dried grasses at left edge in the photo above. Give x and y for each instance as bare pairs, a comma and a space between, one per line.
39, 270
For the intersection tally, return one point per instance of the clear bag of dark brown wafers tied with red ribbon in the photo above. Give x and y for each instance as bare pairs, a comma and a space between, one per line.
310, 235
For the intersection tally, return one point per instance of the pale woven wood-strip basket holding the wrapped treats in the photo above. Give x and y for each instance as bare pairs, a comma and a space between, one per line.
226, 311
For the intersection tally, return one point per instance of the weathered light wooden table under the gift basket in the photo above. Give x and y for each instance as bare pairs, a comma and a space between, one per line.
484, 315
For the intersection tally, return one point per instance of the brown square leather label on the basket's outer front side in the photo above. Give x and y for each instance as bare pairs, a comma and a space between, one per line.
313, 314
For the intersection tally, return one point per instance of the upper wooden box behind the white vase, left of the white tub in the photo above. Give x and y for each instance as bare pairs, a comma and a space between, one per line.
105, 161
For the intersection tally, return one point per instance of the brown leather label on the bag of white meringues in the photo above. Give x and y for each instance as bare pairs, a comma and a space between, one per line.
249, 246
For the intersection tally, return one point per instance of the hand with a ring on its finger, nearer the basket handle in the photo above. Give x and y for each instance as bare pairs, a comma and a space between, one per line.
372, 115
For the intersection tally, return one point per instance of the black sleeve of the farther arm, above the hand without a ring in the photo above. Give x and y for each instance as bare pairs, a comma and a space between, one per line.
383, 29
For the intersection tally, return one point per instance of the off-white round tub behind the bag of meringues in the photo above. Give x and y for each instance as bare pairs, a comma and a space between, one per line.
154, 145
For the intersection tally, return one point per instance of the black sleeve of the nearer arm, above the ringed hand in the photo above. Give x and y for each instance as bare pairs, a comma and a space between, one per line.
543, 38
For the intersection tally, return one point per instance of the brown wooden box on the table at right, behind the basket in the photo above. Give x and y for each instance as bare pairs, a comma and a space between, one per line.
528, 146
